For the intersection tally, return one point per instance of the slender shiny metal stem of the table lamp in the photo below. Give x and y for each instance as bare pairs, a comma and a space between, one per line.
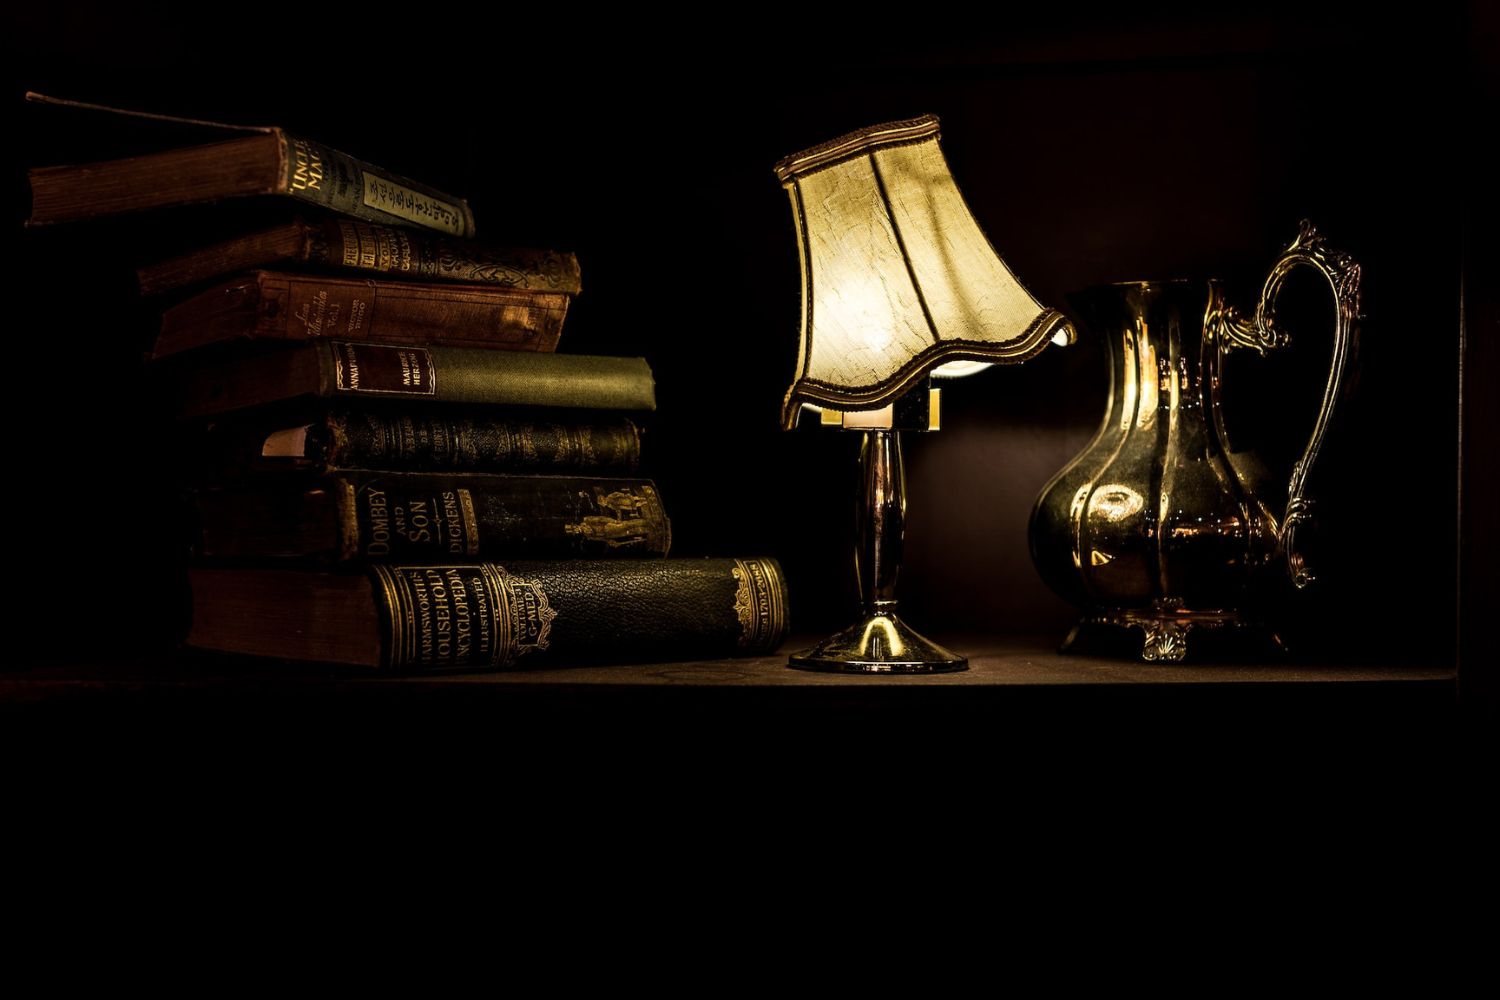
881, 518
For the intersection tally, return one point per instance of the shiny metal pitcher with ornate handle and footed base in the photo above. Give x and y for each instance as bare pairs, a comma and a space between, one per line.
1157, 525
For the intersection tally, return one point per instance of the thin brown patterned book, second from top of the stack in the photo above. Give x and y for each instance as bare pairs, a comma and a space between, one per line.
367, 247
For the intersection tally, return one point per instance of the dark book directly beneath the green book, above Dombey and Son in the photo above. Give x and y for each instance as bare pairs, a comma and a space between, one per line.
434, 439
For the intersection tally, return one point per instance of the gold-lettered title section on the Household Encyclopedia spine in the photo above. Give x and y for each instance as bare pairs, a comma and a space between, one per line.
460, 618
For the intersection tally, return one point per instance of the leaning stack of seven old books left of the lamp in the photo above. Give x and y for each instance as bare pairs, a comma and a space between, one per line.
389, 463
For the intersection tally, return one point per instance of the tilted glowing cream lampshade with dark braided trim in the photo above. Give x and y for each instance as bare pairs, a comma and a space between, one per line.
898, 277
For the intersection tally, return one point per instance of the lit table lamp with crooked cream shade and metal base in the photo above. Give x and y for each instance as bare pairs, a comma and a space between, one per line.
899, 284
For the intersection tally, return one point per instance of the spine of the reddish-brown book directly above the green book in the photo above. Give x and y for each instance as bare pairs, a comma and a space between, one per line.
305, 307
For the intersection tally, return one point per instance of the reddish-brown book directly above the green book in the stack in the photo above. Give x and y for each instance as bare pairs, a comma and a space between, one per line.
290, 307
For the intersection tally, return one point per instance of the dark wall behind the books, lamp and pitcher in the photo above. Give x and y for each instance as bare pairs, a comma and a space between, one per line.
1091, 149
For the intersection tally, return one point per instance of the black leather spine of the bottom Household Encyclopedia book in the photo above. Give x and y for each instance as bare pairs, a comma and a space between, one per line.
532, 615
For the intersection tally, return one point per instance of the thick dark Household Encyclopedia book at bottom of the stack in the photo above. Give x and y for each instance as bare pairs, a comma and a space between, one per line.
488, 617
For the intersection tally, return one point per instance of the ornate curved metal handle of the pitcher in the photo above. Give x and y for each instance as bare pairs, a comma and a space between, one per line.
1262, 334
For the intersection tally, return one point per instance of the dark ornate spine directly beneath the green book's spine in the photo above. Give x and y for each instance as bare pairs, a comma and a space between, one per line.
473, 445
